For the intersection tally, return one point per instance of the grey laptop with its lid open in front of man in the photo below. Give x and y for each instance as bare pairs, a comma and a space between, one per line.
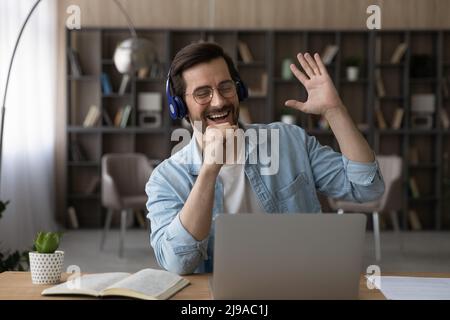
288, 256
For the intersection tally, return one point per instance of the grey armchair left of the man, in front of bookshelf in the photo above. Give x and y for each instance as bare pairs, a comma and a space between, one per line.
124, 176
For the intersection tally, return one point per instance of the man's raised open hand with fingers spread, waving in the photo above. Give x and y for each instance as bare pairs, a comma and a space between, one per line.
322, 95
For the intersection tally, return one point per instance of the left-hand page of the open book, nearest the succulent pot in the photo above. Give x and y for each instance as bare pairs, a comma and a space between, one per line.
91, 284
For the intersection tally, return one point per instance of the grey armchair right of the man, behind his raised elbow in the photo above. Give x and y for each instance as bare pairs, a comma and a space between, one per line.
391, 170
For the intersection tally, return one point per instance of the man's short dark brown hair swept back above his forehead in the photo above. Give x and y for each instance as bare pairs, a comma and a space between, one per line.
192, 55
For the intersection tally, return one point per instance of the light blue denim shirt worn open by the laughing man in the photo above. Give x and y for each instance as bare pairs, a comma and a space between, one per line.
305, 167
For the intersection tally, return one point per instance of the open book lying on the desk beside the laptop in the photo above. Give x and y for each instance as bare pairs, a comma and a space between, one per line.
148, 284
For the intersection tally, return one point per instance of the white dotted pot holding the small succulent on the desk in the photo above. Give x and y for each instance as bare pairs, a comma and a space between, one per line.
46, 267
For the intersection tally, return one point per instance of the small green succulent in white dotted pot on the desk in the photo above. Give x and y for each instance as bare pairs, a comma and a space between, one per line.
46, 262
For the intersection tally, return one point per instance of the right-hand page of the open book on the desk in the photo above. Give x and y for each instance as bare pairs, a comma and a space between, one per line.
151, 283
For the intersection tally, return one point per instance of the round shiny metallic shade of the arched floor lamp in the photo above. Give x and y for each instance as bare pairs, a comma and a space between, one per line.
133, 54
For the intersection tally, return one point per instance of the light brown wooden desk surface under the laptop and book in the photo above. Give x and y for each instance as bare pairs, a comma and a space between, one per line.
18, 286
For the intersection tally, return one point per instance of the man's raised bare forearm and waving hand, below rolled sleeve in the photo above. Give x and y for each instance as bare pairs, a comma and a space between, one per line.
324, 100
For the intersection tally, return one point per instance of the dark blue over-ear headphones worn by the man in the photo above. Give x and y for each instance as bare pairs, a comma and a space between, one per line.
177, 107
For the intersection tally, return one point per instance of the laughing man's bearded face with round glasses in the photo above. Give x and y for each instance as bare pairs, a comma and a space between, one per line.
213, 74
